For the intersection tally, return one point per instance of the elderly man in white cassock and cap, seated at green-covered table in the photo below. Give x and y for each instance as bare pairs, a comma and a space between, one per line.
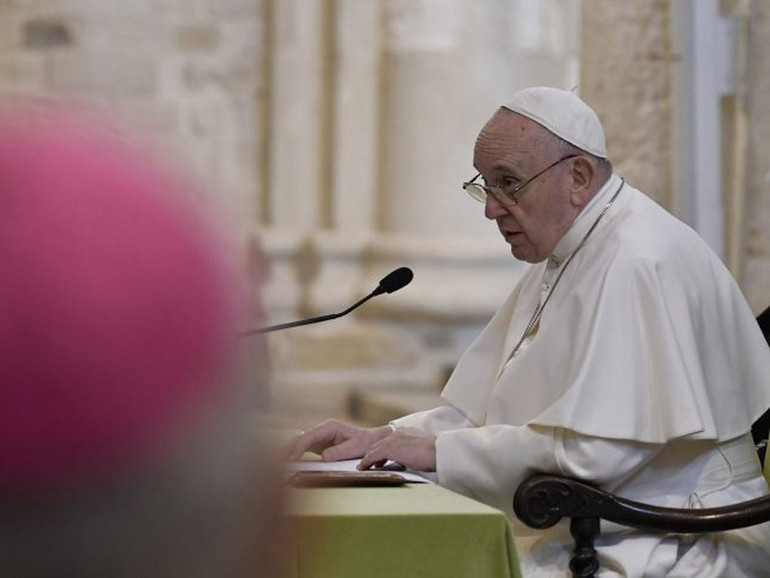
626, 355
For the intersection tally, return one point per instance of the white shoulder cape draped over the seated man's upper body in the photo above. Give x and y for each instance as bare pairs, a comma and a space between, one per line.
646, 338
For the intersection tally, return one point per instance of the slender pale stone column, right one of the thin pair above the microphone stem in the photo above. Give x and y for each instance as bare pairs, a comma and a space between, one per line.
354, 145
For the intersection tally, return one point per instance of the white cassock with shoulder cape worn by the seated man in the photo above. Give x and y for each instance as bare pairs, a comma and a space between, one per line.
644, 377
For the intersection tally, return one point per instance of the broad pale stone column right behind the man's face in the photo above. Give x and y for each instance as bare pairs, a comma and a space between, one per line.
448, 66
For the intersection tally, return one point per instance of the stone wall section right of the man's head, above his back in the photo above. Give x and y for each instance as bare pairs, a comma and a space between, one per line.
637, 73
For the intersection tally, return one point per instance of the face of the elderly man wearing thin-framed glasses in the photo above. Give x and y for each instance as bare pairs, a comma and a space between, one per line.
509, 150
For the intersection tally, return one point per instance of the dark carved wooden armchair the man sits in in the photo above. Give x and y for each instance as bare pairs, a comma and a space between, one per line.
543, 500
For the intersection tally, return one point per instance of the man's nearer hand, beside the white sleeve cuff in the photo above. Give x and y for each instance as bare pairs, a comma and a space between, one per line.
411, 447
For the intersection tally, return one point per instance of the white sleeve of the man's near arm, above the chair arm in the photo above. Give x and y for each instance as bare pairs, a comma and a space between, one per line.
488, 463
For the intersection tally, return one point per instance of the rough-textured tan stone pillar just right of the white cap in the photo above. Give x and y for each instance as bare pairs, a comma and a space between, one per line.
626, 78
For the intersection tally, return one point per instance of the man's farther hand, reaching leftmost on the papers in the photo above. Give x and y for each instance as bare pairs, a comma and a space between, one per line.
336, 440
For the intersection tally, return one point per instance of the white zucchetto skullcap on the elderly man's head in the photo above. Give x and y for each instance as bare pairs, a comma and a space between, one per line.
564, 114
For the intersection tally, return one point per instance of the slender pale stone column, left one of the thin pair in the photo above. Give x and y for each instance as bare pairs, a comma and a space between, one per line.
295, 140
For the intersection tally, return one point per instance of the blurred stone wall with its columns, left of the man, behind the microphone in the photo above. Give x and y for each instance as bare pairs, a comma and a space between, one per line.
339, 131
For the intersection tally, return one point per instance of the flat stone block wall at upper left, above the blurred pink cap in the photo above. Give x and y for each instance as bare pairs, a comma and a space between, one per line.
186, 70
